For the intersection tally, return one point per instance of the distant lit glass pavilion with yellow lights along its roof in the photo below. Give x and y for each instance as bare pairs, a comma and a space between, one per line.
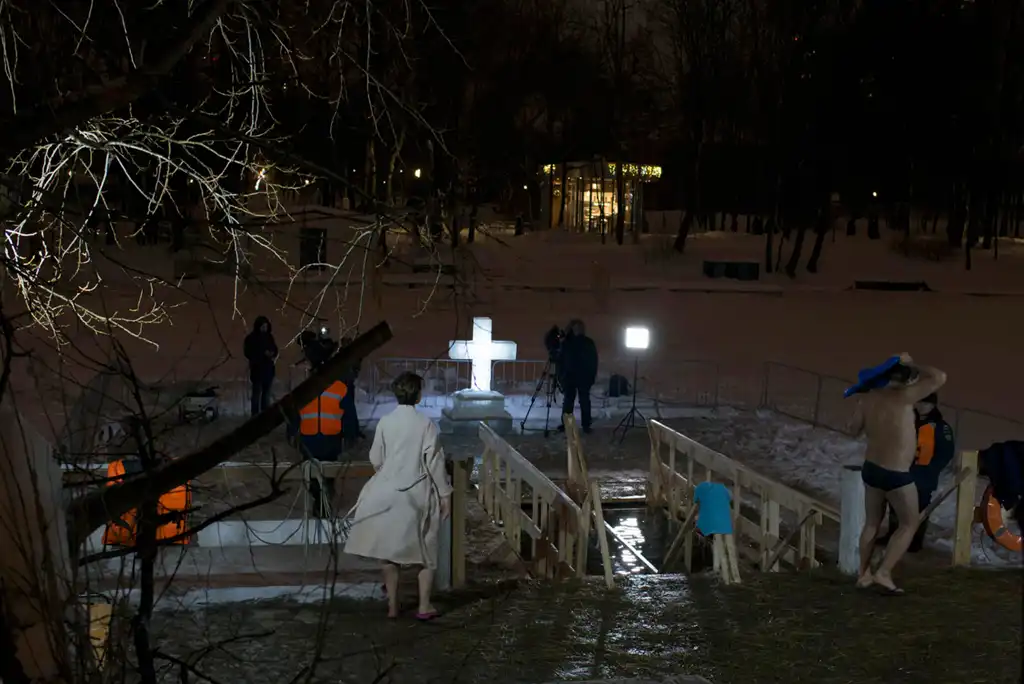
589, 199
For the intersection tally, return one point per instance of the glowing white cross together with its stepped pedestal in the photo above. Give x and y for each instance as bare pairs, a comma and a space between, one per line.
479, 404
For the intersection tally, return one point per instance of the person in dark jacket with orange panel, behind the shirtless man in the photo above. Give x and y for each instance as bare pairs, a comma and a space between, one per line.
936, 450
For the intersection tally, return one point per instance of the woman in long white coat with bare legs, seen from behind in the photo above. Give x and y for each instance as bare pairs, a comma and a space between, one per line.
398, 517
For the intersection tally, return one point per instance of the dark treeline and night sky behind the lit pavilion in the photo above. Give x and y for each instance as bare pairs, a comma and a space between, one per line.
751, 107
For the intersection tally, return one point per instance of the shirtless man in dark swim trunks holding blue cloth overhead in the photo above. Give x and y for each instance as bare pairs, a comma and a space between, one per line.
887, 418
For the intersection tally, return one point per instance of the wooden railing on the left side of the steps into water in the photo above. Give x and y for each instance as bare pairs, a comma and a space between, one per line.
507, 481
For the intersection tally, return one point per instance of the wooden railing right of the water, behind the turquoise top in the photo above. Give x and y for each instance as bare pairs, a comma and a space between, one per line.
760, 506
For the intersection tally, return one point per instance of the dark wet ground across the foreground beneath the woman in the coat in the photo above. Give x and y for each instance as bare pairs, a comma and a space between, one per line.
810, 628
